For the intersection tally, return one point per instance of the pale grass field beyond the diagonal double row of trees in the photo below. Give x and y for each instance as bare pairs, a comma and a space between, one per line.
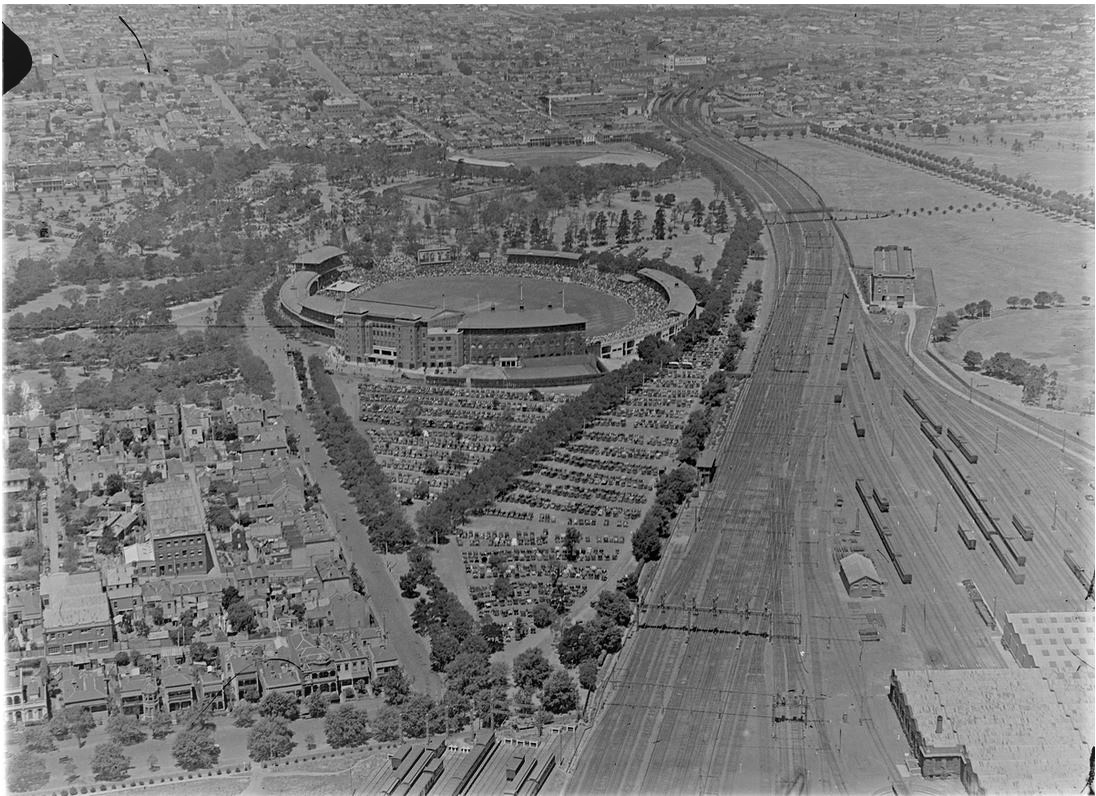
1064, 161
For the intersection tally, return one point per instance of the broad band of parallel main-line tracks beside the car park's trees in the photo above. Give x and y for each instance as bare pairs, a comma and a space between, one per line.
673, 738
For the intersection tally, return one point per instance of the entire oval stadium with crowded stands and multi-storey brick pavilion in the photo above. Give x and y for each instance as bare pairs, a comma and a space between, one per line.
437, 332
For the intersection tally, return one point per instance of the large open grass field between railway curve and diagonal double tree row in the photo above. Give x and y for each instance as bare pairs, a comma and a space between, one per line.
985, 255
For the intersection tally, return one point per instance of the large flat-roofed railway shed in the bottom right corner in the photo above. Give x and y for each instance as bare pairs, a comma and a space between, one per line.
998, 731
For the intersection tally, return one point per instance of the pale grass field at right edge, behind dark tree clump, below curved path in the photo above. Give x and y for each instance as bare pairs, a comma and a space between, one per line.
1063, 339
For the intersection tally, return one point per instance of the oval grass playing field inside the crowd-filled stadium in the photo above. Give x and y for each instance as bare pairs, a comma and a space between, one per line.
604, 313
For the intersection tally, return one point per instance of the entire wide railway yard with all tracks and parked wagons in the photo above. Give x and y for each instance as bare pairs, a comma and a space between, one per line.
752, 669
